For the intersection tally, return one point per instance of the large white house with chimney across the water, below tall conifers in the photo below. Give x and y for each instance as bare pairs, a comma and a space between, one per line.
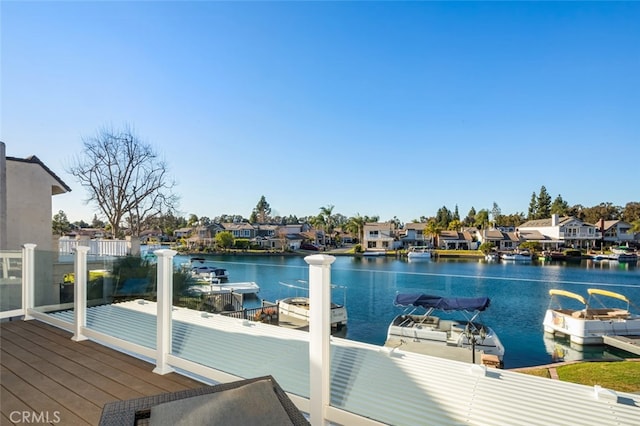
566, 231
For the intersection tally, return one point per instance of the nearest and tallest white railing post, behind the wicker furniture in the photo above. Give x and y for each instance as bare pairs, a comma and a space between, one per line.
319, 335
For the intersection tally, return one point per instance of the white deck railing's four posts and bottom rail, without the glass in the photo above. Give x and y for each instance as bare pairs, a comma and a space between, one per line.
318, 404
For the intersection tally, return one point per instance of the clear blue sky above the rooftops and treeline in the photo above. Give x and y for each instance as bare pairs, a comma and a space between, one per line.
378, 108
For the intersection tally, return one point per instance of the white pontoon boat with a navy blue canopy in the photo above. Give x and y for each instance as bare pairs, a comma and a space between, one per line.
430, 334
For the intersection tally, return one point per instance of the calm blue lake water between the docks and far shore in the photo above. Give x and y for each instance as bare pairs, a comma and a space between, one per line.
519, 293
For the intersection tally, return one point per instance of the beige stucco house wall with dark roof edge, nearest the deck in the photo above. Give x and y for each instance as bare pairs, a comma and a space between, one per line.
26, 187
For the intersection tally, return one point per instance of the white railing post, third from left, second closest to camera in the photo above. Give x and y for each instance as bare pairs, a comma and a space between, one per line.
164, 305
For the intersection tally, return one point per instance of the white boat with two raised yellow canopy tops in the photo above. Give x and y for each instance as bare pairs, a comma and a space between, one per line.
587, 325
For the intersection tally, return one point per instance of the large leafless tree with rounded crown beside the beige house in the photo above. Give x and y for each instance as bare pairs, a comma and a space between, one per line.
124, 177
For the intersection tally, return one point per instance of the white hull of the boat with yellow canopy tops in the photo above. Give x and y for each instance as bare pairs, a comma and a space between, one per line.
590, 331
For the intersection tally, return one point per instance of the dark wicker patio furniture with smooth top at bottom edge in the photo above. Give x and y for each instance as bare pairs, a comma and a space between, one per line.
252, 401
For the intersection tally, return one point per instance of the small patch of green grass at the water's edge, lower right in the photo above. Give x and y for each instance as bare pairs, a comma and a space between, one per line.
622, 376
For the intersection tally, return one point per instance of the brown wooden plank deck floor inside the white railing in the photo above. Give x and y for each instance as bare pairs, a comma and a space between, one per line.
49, 378
